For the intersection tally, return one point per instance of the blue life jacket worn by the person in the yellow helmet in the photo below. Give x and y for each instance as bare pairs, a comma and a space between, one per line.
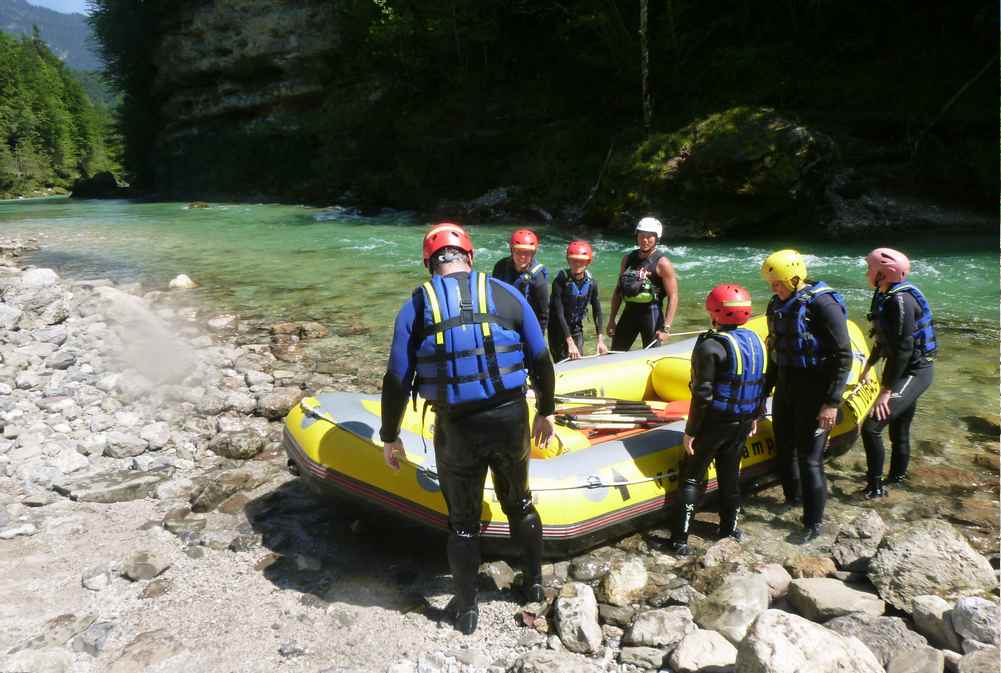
790, 341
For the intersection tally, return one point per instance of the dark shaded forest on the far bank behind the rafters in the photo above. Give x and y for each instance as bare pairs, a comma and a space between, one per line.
431, 100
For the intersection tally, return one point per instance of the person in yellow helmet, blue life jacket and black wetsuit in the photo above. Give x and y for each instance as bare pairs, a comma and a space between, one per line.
809, 360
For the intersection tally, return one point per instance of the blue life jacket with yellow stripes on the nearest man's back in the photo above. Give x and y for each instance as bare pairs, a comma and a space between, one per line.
468, 353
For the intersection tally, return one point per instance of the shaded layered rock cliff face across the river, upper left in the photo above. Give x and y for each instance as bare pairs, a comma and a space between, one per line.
240, 81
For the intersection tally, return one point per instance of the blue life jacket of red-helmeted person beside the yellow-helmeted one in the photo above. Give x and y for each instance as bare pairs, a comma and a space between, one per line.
740, 390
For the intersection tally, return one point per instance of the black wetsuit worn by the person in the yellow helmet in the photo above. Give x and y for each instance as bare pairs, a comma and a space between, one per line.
799, 395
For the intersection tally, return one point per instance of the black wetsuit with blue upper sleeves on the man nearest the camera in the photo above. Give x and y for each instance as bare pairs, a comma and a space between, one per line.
473, 437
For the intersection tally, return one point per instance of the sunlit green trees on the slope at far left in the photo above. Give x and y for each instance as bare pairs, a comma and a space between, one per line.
51, 133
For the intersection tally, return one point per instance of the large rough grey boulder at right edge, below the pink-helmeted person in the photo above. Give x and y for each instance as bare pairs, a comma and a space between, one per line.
928, 557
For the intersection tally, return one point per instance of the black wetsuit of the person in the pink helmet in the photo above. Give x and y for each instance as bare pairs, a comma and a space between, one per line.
908, 373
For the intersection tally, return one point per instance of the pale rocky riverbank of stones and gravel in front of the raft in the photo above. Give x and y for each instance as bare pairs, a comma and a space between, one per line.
148, 524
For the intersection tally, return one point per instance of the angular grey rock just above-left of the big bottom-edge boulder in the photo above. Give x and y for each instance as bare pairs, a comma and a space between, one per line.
732, 608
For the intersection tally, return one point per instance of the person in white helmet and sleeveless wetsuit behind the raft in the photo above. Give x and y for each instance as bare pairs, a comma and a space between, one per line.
646, 278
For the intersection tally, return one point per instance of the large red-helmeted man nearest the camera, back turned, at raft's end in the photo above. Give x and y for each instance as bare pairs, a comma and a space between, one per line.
469, 344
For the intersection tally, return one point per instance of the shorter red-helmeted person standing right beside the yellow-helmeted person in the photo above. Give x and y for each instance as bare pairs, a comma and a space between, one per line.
728, 384
